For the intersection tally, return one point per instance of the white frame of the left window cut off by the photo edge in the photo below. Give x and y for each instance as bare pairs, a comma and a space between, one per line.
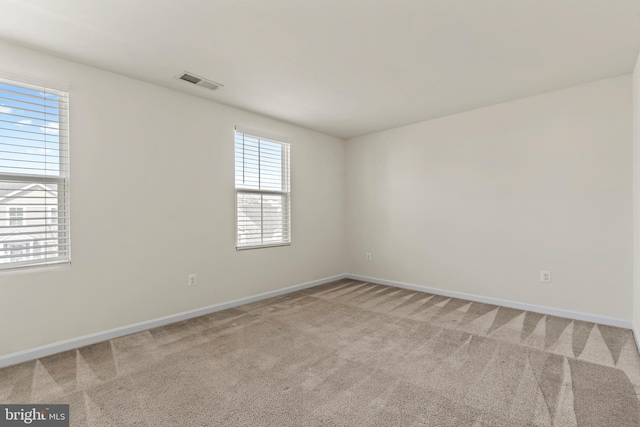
61, 237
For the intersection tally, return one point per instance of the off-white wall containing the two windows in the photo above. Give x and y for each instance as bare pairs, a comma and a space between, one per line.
152, 199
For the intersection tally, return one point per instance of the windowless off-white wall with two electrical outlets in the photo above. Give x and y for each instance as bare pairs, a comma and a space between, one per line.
479, 202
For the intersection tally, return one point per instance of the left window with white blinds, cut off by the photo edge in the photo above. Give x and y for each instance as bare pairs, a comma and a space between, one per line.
34, 171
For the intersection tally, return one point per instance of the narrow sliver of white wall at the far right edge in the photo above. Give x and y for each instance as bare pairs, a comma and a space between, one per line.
636, 200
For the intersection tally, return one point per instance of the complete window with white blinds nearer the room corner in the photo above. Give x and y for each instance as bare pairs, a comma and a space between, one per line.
263, 194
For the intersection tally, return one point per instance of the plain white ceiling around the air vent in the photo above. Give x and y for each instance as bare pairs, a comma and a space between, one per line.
342, 67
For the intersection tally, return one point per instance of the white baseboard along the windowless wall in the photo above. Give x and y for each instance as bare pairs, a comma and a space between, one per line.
506, 303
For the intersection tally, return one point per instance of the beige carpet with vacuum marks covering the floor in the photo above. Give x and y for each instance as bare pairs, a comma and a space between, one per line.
347, 354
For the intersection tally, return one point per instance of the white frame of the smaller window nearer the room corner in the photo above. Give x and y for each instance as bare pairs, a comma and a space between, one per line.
285, 192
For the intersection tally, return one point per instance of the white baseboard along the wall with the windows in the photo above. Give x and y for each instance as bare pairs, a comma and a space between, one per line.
49, 349
